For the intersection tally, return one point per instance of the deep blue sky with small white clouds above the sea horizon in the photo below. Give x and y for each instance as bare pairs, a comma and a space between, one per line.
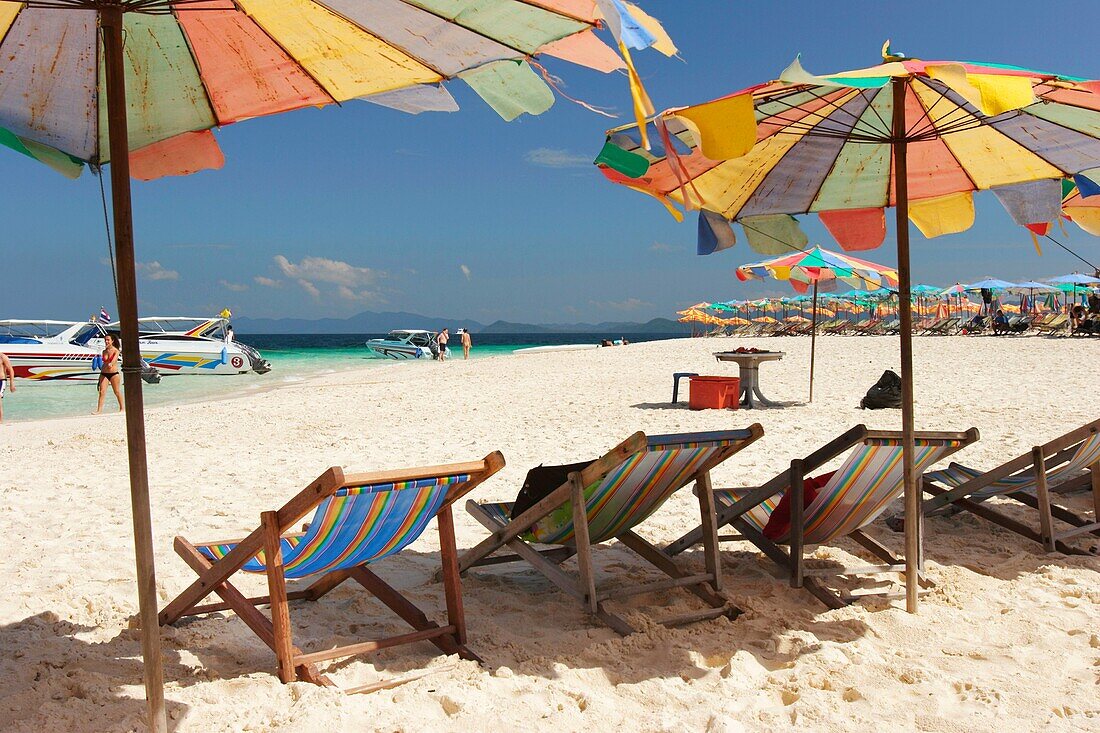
464, 215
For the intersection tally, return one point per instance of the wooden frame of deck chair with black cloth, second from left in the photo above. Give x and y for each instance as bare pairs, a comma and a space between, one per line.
707, 586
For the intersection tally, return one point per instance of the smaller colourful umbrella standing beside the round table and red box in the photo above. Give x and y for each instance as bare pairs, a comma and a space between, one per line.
817, 267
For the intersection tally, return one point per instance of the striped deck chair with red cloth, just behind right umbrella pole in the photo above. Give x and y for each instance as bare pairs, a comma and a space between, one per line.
856, 495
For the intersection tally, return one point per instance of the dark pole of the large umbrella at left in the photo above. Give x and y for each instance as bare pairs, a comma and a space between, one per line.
111, 19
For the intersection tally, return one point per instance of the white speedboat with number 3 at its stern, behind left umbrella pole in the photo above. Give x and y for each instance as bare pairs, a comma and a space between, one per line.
180, 345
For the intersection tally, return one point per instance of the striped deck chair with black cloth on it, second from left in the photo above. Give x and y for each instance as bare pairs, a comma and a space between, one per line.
607, 501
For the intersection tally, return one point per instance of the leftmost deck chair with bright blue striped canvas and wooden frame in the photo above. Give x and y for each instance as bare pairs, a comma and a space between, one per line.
358, 520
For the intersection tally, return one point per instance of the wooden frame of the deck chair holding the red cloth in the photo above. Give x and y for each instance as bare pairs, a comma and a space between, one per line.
794, 561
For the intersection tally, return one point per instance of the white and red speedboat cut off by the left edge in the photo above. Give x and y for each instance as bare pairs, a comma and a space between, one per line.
57, 351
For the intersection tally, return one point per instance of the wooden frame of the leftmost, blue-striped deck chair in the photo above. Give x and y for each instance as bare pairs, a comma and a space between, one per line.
293, 663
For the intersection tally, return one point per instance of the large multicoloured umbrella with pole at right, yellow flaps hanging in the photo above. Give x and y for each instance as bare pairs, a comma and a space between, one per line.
919, 136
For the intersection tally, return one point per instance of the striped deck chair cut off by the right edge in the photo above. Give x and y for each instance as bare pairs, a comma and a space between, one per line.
1066, 464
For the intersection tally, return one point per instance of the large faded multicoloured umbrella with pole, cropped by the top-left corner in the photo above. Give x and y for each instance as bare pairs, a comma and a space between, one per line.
140, 84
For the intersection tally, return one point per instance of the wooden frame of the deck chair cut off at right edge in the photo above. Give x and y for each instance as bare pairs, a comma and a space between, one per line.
1040, 460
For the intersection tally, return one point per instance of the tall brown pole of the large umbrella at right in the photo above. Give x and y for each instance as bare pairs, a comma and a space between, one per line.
915, 517
